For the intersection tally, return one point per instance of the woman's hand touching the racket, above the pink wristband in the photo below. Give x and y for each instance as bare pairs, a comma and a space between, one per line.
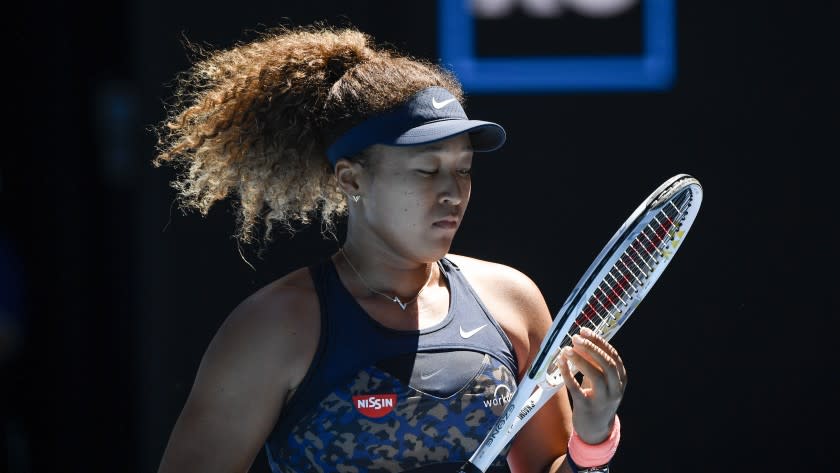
604, 379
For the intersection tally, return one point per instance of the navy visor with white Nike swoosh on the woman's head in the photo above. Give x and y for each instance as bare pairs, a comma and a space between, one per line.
433, 114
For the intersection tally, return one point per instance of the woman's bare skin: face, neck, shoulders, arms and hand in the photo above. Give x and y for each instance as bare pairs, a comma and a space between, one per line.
393, 241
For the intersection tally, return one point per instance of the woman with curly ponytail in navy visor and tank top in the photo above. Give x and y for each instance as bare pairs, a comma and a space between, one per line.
391, 354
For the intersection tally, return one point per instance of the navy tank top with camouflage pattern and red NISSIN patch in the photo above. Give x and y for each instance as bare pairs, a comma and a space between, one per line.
378, 400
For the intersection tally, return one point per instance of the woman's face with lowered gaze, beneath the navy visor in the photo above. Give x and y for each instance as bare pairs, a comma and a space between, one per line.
414, 198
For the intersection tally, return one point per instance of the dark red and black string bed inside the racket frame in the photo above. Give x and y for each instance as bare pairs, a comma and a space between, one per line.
631, 270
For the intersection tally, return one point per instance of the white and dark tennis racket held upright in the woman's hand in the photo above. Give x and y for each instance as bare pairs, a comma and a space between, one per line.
603, 299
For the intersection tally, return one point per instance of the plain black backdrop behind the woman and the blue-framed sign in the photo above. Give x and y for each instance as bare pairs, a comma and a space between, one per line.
119, 293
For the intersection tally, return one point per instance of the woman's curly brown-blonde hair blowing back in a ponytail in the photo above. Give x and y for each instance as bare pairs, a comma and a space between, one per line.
255, 120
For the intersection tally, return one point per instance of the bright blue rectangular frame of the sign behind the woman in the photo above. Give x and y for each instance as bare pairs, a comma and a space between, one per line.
654, 69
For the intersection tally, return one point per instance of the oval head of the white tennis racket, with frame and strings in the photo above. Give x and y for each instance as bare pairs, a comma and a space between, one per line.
625, 270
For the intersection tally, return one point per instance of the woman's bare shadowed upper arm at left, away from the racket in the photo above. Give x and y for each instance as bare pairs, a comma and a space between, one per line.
253, 361
